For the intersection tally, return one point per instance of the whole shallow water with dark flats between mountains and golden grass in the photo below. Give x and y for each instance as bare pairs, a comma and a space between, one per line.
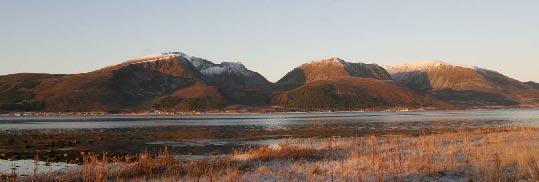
219, 133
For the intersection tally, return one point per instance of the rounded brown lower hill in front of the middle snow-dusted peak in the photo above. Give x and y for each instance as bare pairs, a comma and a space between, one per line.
352, 93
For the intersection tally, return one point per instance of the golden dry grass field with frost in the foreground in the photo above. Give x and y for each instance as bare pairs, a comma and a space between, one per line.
504, 154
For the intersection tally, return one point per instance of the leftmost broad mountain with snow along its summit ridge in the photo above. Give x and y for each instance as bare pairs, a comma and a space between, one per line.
168, 81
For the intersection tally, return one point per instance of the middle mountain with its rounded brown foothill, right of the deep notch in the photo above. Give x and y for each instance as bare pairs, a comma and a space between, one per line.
337, 84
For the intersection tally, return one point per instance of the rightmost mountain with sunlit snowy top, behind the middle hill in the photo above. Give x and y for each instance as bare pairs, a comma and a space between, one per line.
464, 84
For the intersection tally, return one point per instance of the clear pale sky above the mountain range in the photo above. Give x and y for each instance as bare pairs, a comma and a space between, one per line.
270, 37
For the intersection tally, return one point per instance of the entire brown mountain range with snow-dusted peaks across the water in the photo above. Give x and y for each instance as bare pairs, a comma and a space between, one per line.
179, 82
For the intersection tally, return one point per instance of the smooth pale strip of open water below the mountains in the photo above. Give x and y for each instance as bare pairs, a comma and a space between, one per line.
372, 120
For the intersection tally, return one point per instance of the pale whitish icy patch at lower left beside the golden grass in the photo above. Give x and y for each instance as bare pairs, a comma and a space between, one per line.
27, 167
